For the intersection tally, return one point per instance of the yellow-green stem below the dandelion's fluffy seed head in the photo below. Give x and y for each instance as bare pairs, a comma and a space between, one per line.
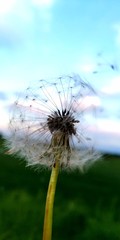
47, 230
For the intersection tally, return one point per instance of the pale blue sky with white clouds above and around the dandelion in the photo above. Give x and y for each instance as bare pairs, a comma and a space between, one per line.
46, 38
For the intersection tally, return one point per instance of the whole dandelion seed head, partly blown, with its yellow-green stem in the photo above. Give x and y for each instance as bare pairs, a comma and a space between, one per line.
49, 129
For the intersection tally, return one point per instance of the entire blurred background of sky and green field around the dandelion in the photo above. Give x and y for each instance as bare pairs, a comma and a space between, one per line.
49, 38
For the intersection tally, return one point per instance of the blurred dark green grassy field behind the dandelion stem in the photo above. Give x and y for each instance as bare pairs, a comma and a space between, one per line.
87, 206
